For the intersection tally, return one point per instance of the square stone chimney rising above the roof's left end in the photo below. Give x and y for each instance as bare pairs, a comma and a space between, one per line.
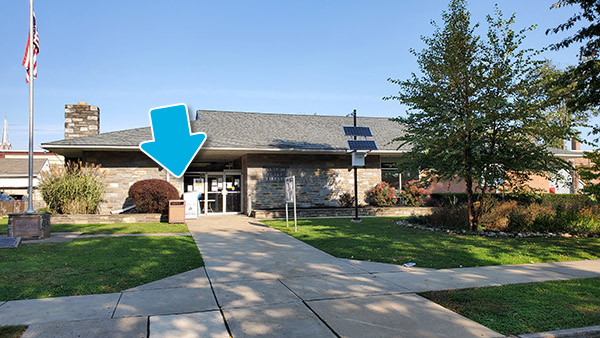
81, 119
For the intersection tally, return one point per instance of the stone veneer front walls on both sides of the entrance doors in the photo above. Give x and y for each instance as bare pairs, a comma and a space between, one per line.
320, 179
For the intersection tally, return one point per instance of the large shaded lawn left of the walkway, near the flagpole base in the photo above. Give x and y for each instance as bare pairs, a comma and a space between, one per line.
91, 266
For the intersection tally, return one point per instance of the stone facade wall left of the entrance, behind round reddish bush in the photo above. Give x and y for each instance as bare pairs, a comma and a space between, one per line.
121, 169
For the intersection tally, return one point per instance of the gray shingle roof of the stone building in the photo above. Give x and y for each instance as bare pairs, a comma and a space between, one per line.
256, 131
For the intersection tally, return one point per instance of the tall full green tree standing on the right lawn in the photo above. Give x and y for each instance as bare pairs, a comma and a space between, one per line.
476, 112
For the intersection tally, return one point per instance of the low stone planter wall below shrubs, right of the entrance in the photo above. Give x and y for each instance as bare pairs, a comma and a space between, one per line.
344, 212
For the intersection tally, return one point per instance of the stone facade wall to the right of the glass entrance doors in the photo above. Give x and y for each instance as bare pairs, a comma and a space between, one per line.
320, 179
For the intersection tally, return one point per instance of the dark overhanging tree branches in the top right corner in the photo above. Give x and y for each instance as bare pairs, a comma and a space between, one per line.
587, 72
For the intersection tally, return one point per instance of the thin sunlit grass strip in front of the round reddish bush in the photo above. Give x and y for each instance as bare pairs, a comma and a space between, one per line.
118, 228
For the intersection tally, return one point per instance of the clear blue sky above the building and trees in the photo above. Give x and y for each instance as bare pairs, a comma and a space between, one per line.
324, 57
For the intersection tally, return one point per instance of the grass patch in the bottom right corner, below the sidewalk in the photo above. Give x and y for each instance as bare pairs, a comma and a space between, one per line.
527, 308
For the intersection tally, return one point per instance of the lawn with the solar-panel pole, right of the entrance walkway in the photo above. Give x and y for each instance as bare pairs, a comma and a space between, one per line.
380, 239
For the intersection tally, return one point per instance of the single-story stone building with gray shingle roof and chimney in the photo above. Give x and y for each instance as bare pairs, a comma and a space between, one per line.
244, 161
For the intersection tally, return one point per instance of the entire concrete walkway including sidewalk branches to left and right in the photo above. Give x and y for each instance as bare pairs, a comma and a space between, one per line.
260, 282
